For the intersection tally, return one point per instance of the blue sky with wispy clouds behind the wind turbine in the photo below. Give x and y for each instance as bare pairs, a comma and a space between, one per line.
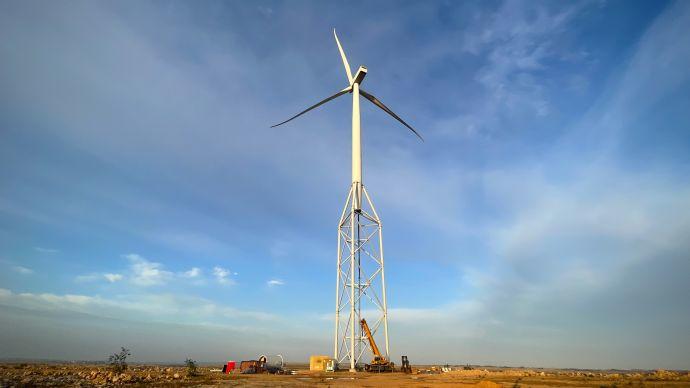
145, 202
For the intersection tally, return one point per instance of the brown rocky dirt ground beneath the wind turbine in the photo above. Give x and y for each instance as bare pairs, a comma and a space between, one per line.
81, 375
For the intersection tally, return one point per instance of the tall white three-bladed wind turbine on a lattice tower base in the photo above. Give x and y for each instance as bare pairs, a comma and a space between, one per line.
358, 230
